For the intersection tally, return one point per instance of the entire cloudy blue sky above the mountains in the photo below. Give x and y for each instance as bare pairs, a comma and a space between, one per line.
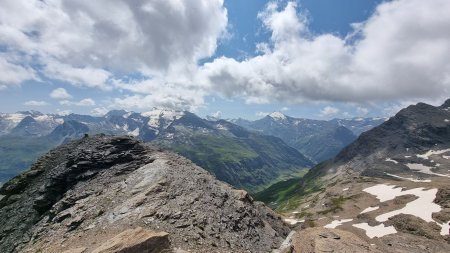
317, 59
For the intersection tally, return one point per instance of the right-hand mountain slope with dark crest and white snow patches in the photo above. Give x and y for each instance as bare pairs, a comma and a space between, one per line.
391, 187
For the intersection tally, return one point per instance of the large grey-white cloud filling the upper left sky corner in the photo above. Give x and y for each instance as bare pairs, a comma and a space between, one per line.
88, 43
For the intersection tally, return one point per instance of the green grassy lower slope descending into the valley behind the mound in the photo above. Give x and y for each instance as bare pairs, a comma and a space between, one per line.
239, 161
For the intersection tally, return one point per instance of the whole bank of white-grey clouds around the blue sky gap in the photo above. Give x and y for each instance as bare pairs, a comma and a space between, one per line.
151, 49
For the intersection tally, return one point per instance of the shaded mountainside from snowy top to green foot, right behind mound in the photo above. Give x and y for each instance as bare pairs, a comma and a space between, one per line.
233, 154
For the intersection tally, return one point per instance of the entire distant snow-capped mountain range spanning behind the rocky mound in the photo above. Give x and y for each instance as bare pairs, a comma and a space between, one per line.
250, 156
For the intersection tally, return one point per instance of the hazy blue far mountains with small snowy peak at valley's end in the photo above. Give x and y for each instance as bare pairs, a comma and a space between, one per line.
319, 140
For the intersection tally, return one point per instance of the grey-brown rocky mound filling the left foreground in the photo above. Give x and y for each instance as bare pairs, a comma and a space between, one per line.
88, 195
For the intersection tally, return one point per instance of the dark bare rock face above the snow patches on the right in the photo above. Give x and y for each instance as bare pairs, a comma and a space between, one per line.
414, 129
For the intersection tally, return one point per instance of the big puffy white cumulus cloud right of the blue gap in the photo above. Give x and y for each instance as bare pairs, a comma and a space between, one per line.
401, 52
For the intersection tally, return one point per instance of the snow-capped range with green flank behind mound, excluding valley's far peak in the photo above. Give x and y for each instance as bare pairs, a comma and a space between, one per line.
233, 154
